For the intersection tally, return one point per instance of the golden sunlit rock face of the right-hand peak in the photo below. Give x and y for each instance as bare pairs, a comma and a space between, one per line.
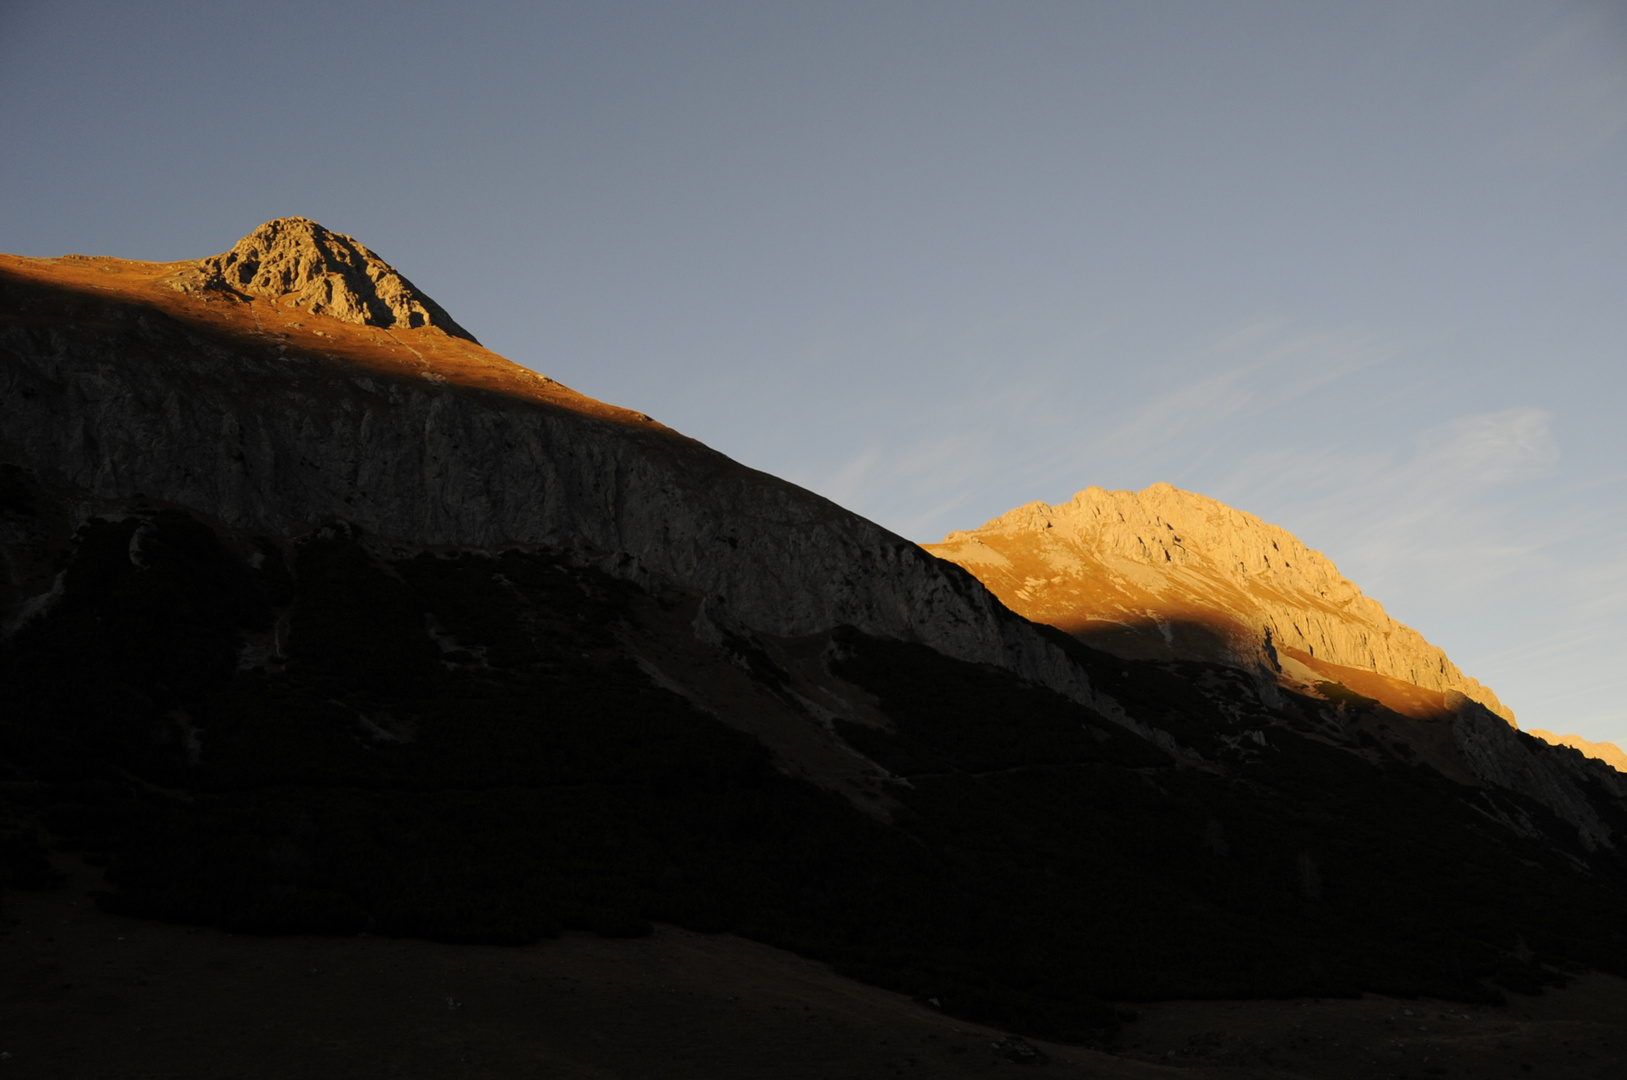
1169, 573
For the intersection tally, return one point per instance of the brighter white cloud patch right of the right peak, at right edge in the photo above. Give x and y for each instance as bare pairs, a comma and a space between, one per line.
1463, 534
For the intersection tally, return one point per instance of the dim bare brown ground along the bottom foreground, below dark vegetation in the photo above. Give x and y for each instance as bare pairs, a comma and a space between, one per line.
89, 995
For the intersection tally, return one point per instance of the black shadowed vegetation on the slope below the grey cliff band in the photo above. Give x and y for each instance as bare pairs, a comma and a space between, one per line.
325, 738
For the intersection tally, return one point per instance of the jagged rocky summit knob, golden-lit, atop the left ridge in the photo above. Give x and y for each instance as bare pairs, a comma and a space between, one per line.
300, 264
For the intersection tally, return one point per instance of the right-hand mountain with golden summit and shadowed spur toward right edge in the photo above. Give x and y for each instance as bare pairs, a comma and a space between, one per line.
1172, 575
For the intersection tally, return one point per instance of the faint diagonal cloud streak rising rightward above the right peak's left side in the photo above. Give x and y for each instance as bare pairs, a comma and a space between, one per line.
941, 469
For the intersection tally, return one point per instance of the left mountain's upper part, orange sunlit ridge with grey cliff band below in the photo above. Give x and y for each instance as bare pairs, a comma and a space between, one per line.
118, 383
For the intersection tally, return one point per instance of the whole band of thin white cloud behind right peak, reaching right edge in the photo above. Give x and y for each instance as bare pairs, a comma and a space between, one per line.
1462, 528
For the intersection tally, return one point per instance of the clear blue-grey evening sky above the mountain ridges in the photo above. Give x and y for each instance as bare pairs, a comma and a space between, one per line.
1358, 269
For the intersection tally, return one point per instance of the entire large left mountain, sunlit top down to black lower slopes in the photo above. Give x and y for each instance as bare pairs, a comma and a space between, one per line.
323, 619
